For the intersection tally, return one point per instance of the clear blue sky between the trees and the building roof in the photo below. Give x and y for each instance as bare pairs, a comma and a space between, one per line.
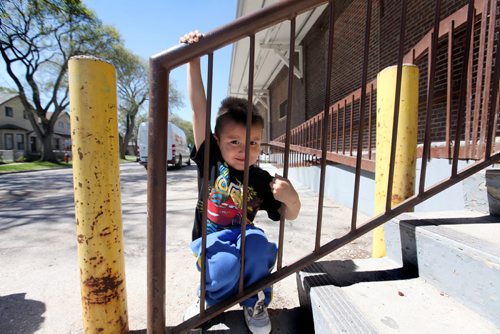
148, 27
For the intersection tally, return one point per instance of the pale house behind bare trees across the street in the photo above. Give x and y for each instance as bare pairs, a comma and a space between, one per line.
17, 137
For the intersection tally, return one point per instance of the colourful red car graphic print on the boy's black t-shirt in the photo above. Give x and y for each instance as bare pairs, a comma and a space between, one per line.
225, 202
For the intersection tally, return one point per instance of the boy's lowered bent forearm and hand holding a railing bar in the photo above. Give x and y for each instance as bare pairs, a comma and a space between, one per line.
284, 192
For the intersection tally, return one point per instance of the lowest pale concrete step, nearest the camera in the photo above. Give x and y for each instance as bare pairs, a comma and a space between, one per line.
378, 296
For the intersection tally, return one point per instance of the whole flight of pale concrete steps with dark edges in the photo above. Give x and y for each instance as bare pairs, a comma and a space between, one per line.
441, 275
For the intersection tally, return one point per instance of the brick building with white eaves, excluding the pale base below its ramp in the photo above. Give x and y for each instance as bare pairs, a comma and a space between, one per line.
347, 61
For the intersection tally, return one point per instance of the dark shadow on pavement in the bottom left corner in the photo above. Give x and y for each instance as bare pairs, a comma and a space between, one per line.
20, 315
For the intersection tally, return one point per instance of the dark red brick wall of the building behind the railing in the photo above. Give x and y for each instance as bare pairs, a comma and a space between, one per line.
347, 60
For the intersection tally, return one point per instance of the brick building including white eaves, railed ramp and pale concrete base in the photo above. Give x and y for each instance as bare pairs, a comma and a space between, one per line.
270, 86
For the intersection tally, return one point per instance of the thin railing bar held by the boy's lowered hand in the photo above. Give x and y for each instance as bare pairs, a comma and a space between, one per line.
291, 62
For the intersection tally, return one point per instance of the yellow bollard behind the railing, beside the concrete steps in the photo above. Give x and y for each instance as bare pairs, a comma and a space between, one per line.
406, 148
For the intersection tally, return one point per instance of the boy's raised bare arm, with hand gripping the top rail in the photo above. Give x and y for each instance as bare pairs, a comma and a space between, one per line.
196, 91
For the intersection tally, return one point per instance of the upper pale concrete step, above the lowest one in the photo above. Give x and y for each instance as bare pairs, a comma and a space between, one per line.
457, 252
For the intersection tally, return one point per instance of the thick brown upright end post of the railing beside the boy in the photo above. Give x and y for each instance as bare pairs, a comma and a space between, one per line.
157, 198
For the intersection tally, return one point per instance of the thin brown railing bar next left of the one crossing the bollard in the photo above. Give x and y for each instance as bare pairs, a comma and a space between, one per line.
361, 115
